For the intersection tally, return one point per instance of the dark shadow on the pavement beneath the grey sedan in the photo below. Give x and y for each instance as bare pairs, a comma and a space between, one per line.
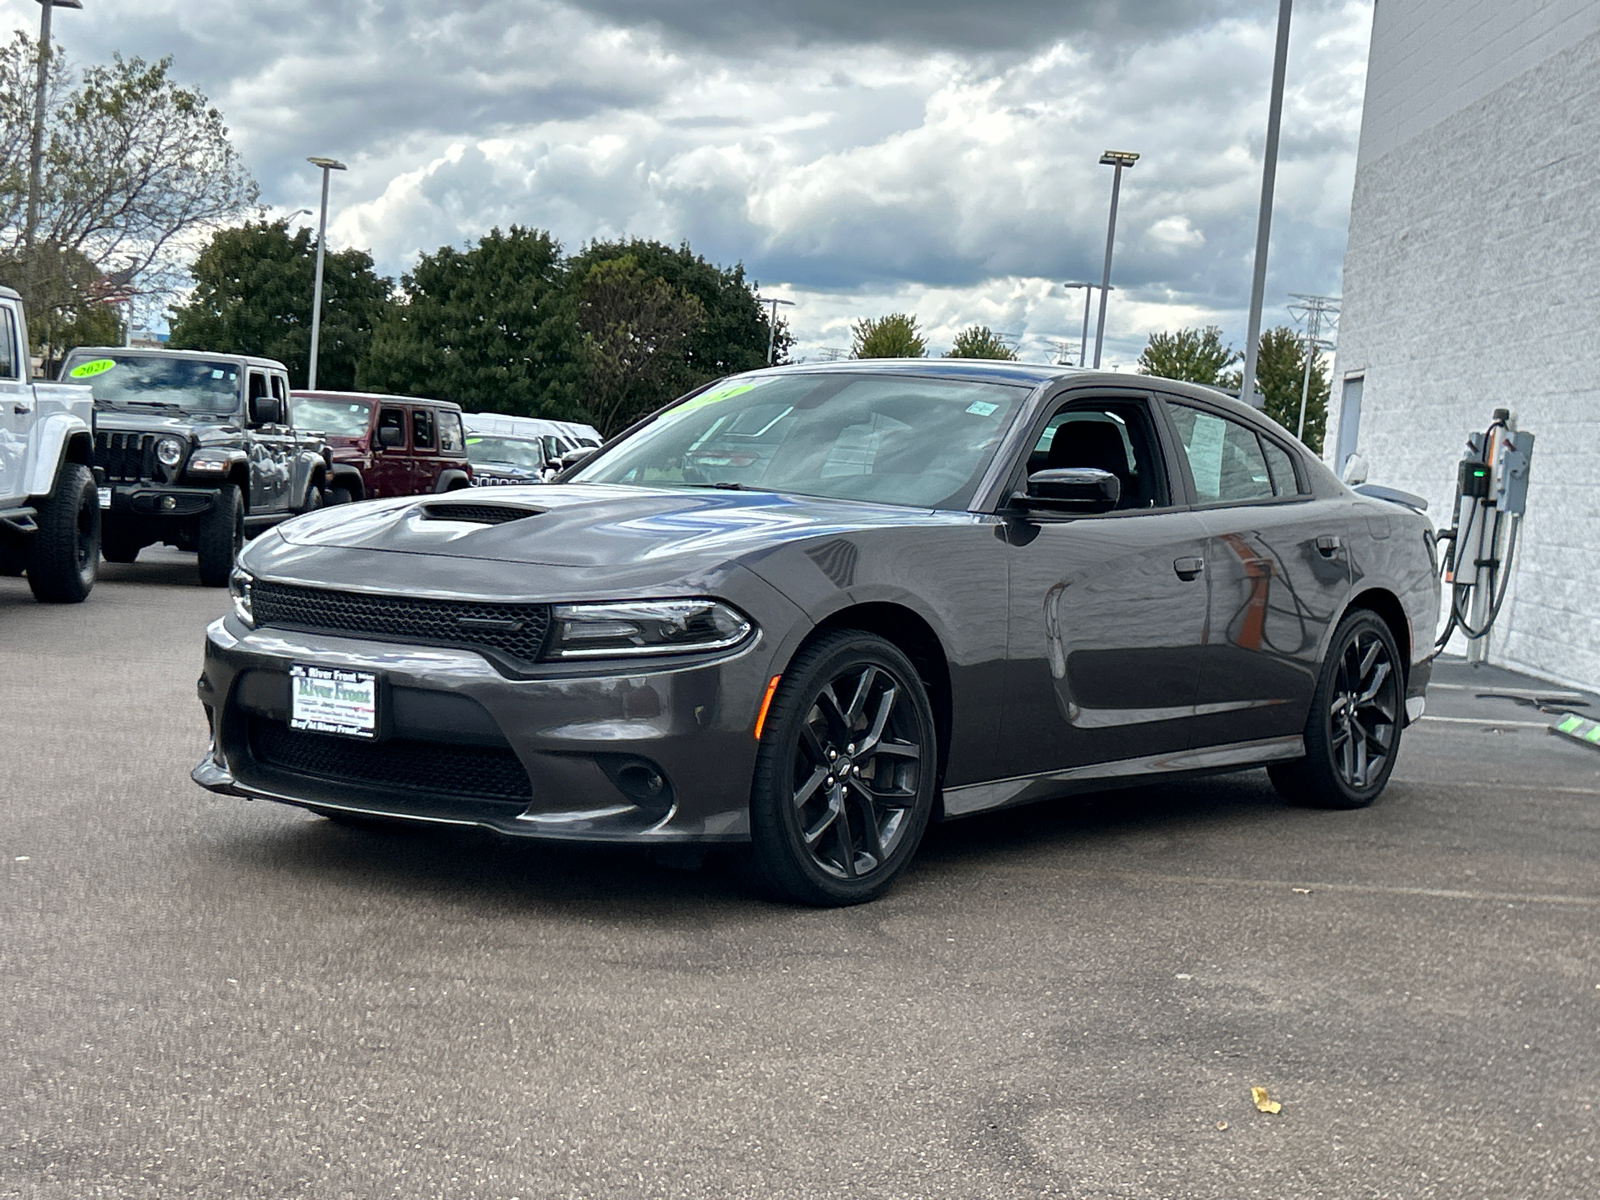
628, 884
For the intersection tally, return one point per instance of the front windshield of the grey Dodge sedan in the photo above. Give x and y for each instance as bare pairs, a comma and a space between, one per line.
871, 438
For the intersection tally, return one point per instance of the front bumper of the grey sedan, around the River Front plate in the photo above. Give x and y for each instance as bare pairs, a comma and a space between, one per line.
450, 721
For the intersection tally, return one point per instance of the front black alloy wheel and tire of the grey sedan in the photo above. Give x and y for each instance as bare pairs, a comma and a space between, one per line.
847, 772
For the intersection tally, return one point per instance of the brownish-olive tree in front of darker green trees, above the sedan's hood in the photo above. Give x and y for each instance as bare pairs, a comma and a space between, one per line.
636, 330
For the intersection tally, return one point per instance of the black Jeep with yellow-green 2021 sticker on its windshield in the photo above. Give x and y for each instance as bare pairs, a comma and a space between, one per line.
194, 450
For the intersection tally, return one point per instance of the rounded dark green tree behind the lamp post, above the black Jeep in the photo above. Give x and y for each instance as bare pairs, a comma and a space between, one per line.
254, 295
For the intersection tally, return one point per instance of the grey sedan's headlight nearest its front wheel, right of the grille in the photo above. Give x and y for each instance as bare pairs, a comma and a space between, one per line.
646, 628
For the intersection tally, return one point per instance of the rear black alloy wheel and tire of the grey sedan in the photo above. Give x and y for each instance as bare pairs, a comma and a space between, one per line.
1353, 734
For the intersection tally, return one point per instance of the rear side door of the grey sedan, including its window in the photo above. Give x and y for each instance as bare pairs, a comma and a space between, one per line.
1279, 574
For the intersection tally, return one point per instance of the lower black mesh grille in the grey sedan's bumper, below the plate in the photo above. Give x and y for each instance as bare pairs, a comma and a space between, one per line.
433, 769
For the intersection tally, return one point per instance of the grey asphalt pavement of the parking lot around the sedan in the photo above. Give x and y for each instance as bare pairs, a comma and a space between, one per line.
223, 999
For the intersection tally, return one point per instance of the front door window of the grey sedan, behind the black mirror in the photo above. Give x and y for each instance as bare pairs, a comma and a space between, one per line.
1113, 436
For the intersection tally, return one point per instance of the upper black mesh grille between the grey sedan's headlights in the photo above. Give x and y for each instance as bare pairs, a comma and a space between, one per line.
511, 631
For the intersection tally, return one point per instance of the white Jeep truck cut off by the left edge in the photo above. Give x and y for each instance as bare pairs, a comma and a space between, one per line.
50, 518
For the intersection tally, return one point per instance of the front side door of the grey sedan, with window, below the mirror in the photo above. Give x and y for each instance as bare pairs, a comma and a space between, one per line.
1108, 612
